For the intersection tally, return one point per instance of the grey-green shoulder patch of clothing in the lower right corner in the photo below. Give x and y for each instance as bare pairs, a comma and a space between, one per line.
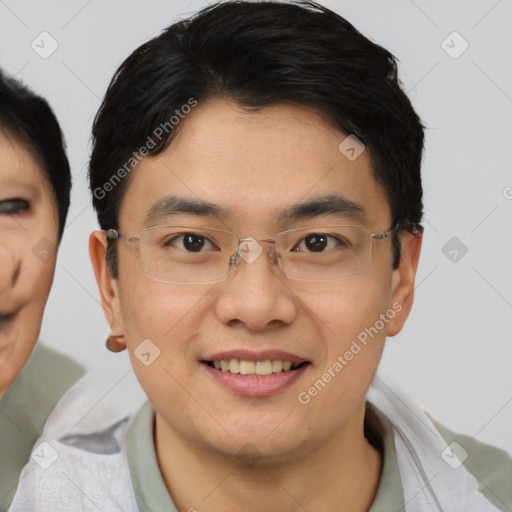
491, 466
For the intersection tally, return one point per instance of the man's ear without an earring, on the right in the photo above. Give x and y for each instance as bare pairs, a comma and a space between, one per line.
402, 280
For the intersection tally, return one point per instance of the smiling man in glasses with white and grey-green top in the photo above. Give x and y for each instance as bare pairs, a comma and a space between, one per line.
256, 175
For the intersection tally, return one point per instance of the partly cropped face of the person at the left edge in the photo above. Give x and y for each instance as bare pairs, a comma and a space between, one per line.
28, 238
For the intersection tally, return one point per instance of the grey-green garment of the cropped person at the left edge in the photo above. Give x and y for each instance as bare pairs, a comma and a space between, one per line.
24, 409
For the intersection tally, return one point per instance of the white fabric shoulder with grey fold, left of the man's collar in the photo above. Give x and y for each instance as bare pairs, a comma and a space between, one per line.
85, 471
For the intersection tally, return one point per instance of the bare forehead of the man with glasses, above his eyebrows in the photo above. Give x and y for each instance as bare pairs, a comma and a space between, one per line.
255, 166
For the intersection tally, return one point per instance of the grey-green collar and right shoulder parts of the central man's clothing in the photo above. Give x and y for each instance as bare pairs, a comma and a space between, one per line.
491, 466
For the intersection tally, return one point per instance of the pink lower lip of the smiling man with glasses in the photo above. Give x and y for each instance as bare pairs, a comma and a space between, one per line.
256, 386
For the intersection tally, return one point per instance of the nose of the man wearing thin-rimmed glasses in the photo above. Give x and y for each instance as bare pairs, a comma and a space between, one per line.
255, 293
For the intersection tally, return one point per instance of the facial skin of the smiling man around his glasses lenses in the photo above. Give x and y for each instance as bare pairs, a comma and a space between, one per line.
254, 165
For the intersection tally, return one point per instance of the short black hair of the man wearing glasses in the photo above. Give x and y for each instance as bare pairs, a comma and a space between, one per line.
259, 54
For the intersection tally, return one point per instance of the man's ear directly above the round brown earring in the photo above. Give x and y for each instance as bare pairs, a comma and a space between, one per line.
107, 283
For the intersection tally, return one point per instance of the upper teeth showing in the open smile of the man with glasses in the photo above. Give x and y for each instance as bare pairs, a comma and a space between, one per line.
245, 368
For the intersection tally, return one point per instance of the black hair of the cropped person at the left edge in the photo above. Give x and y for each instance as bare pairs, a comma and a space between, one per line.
28, 118
